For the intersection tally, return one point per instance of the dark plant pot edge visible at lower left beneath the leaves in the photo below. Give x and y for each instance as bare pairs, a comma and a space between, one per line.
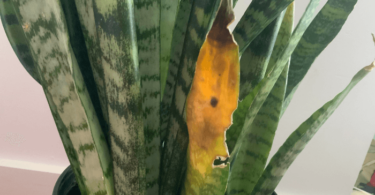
66, 184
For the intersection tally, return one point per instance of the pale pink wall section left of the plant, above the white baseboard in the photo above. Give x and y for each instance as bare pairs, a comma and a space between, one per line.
27, 129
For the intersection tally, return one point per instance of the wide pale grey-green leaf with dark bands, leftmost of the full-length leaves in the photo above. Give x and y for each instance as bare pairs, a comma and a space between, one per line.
70, 103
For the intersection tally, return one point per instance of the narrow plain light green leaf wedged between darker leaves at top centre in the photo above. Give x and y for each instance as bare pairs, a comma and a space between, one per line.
168, 14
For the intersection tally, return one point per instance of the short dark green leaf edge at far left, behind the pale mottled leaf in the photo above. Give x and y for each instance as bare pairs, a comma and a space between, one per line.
16, 37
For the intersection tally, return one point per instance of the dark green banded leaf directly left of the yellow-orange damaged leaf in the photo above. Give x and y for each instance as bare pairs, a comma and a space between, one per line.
174, 152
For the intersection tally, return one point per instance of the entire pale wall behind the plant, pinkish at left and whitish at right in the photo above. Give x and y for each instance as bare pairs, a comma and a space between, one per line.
328, 165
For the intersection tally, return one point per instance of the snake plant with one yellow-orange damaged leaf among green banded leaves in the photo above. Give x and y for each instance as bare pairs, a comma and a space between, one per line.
160, 97
